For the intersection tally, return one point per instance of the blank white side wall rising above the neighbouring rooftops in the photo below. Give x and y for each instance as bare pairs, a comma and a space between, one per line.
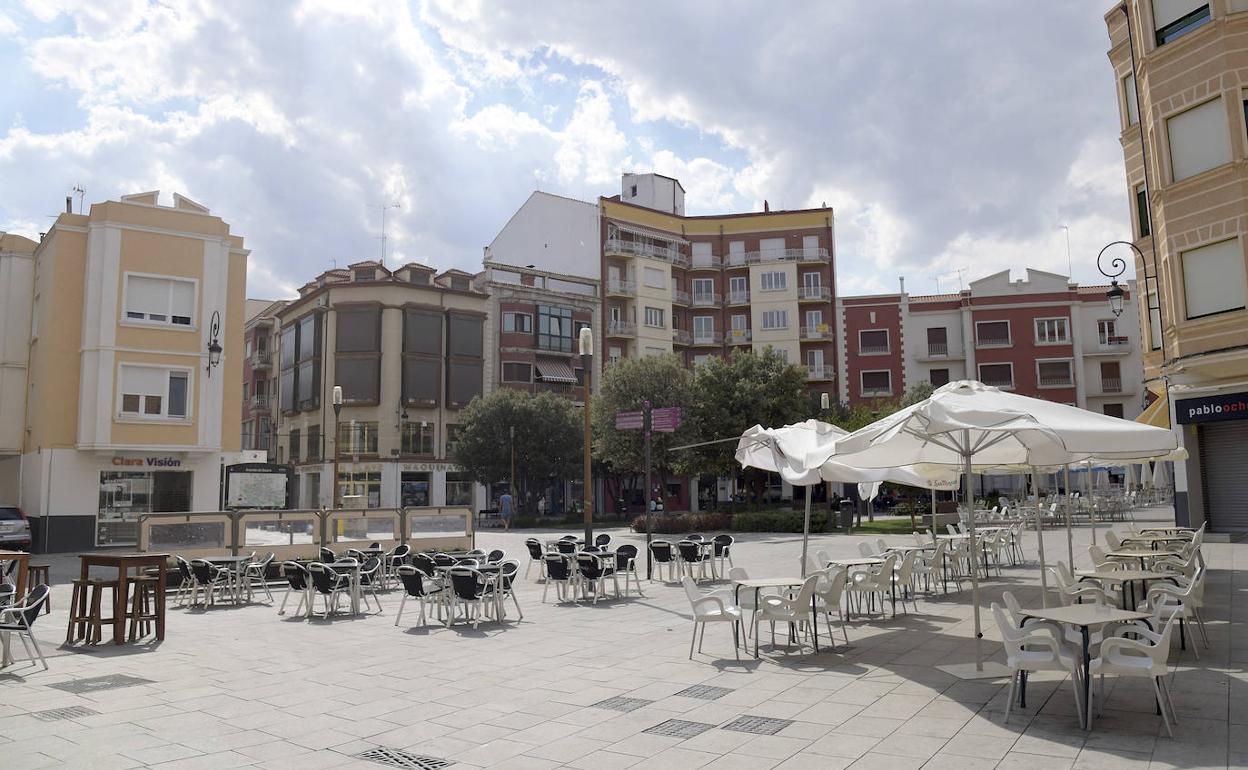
553, 234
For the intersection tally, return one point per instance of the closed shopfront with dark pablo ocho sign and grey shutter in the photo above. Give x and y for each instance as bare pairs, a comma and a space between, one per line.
1221, 431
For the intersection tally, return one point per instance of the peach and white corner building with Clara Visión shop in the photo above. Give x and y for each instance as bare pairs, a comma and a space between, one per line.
124, 328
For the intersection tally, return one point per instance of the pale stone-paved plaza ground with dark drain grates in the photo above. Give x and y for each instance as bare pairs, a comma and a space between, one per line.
246, 688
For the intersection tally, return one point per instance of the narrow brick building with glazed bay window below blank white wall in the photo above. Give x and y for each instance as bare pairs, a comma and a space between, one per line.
535, 326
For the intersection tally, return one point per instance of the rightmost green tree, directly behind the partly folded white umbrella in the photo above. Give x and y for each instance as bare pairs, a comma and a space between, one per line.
736, 394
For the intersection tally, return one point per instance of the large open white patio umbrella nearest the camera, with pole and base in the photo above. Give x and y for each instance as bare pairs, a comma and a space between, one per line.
967, 424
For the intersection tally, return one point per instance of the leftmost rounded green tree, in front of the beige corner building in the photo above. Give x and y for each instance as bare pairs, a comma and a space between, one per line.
550, 441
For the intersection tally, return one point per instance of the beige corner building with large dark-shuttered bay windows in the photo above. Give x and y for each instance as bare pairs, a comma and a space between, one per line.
407, 348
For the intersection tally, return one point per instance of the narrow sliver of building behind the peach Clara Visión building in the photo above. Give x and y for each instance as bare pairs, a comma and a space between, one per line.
259, 383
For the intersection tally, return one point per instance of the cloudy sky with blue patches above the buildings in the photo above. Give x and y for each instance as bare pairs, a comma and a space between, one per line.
949, 137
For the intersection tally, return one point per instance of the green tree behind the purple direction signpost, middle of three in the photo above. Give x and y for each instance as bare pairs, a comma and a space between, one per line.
626, 385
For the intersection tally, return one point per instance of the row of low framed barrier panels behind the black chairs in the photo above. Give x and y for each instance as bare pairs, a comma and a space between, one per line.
301, 534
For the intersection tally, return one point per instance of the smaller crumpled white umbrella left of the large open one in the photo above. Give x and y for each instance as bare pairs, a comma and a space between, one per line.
786, 450
